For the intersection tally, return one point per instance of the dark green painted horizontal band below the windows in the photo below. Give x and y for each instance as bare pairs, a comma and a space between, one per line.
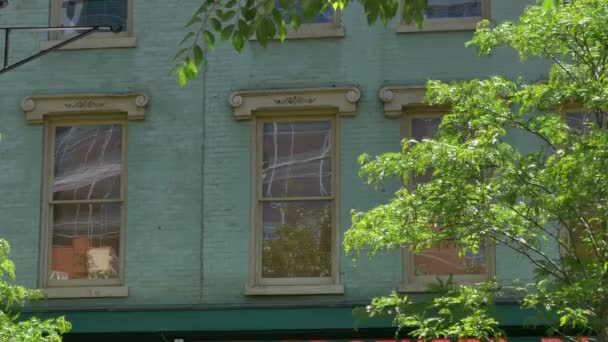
245, 319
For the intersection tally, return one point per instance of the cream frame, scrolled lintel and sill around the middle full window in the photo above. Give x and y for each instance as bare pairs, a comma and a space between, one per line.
296, 105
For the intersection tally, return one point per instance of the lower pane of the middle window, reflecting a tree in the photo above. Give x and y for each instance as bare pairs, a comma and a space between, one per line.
297, 239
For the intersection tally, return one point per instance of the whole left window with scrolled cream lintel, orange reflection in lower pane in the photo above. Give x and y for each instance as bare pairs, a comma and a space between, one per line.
84, 197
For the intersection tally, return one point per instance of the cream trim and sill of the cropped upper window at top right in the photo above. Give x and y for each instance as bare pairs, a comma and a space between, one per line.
449, 24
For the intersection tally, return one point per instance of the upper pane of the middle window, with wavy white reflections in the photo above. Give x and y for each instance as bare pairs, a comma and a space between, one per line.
296, 159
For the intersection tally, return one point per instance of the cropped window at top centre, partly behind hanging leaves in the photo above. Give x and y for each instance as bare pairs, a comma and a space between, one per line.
326, 24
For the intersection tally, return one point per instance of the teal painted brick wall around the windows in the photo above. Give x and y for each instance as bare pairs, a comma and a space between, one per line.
187, 235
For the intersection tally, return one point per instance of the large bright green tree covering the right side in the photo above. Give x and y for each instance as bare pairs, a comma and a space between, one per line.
549, 205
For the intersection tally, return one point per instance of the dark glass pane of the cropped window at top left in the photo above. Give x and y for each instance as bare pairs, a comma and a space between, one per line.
94, 12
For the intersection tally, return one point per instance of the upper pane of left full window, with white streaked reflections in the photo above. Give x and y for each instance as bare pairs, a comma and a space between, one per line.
87, 162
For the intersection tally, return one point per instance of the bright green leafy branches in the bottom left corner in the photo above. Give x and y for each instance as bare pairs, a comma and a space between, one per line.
12, 298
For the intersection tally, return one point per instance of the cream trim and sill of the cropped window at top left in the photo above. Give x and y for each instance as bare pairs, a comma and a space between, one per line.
98, 40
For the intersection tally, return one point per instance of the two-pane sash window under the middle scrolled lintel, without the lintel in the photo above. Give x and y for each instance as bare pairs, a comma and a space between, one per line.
296, 202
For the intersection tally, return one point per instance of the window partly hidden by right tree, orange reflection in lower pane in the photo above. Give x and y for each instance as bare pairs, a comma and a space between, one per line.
443, 260
